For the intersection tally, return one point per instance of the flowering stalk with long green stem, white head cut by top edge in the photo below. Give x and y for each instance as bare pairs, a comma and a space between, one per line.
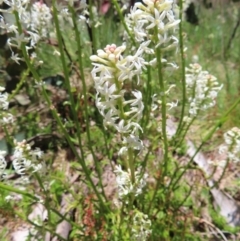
155, 21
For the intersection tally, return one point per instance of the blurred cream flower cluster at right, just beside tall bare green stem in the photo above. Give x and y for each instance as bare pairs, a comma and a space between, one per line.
202, 89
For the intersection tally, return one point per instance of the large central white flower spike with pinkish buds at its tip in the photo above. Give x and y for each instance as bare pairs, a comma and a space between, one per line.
121, 109
